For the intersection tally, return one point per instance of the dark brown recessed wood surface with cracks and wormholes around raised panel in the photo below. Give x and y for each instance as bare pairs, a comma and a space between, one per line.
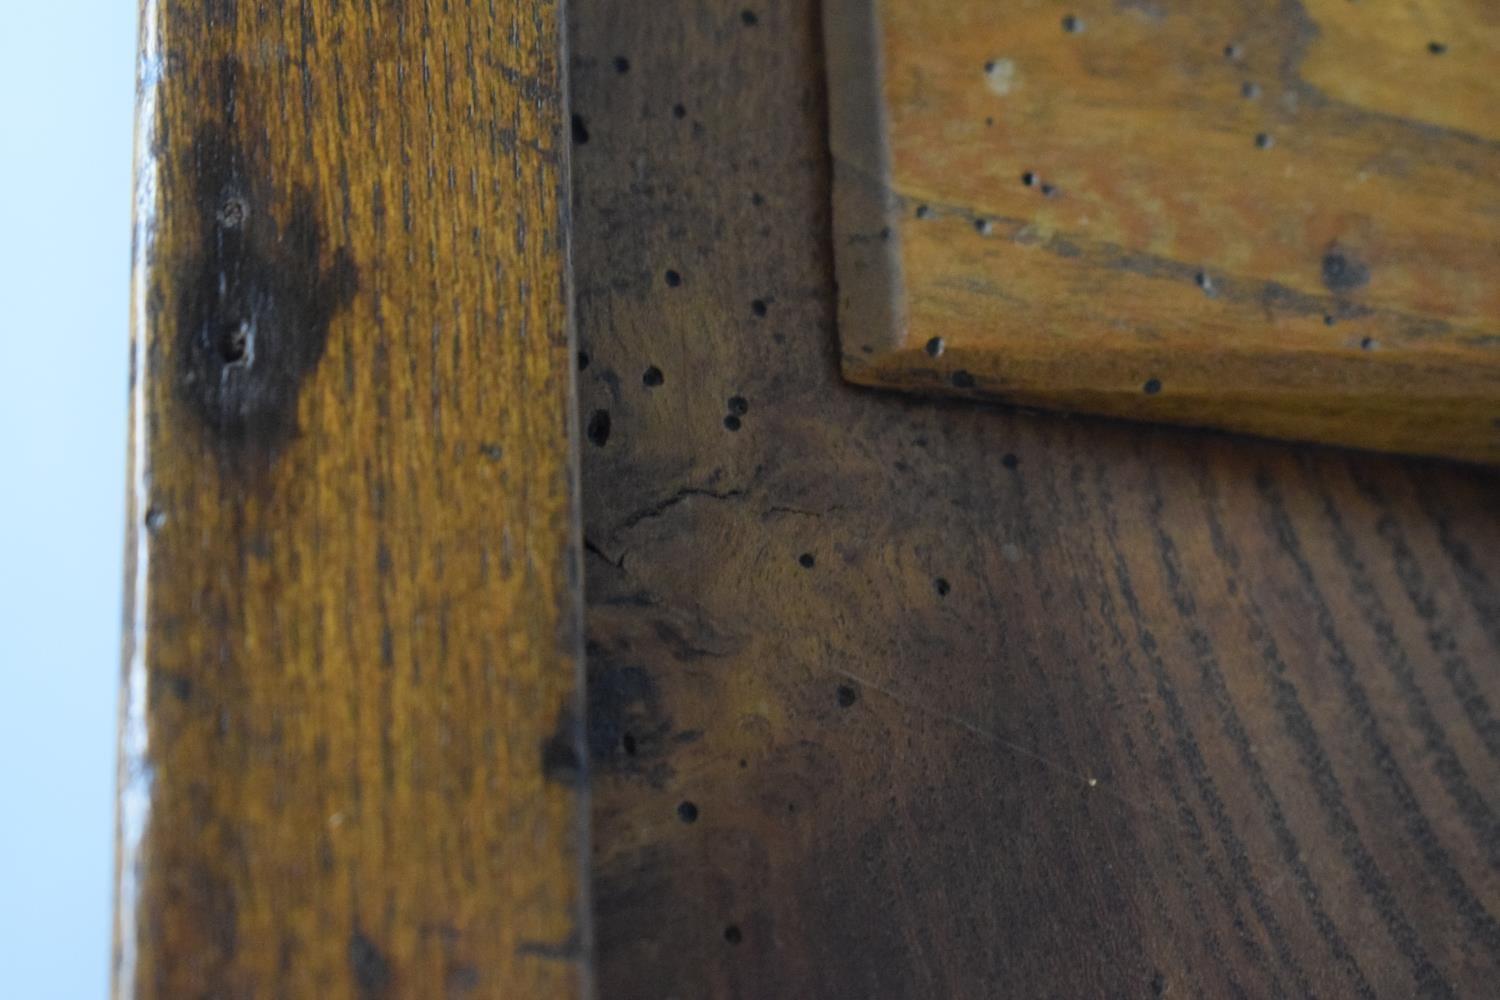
896, 698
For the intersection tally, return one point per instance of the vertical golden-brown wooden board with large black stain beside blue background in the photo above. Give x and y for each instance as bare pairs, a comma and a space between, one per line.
352, 747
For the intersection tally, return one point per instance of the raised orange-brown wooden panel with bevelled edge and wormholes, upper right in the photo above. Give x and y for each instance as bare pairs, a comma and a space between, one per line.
1276, 218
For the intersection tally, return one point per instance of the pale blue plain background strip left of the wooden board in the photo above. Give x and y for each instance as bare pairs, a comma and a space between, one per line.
67, 115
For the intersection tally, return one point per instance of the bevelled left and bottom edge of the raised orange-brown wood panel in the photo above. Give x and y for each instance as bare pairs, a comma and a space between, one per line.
877, 352
